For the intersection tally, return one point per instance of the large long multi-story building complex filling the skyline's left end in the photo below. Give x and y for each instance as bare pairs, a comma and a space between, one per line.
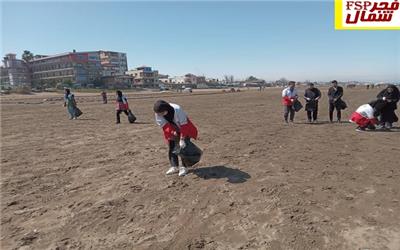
79, 68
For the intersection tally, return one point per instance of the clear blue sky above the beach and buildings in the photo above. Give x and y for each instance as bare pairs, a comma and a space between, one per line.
266, 39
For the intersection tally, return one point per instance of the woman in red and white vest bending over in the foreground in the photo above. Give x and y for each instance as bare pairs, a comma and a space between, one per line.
177, 128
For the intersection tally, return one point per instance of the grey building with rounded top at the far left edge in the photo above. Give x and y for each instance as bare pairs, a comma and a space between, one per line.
14, 72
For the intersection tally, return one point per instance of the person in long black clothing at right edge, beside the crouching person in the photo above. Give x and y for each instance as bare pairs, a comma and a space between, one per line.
391, 96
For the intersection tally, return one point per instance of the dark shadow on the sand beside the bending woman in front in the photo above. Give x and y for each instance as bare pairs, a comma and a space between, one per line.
217, 172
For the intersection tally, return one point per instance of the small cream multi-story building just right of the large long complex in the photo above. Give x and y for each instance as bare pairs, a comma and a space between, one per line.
144, 77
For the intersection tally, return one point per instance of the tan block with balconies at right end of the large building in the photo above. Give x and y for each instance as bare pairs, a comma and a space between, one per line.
113, 63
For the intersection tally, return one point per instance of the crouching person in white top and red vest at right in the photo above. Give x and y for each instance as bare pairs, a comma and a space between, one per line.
366, 115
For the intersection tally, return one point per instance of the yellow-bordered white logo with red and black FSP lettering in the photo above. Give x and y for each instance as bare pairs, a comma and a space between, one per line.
364, 15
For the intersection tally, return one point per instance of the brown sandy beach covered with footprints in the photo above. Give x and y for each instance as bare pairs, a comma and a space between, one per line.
92, 184
